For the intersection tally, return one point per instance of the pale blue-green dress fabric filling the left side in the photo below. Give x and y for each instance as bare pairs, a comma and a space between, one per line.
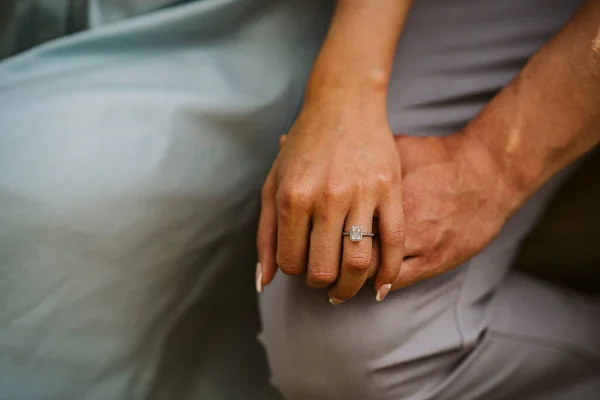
131, 159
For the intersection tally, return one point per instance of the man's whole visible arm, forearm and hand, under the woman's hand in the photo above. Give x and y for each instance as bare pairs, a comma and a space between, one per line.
459, 190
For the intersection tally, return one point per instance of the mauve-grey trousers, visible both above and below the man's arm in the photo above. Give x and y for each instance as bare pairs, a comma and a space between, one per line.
480, 331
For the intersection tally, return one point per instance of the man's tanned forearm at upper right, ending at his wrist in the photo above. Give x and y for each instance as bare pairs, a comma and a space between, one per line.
550, 114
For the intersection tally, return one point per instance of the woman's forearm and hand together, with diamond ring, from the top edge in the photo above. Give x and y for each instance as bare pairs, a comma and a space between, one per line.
339, 167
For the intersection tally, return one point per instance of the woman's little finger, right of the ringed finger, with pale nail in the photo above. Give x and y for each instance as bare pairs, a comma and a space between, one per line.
391, 236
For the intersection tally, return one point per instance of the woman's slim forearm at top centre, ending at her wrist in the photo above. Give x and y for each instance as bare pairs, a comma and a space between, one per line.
355, 61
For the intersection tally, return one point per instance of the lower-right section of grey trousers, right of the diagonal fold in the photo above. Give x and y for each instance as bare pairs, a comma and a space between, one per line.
542, 343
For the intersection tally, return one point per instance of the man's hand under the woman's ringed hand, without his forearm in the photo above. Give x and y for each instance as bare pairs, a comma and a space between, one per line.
455, 203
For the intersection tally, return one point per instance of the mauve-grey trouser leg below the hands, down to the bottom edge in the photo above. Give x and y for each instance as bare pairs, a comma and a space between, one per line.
526, 340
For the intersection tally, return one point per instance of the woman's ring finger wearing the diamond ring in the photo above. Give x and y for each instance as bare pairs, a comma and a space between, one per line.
356, 257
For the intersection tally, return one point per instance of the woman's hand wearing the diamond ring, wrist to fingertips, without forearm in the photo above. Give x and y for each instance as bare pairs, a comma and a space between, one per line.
338, 168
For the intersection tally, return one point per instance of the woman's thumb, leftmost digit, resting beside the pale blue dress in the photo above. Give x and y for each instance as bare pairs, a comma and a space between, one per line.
266, 238
